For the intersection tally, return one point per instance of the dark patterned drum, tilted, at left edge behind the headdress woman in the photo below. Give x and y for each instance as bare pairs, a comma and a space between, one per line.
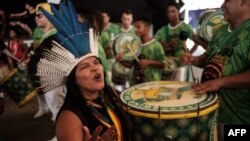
19, 87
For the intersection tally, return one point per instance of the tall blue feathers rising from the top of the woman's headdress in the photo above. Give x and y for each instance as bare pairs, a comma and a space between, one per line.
72, 34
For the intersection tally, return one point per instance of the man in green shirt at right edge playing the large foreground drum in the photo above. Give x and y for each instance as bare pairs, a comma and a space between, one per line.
226, 65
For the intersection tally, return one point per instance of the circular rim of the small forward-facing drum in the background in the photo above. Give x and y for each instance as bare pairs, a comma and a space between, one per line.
119, 37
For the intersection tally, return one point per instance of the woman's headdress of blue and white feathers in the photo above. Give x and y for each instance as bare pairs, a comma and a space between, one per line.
54, 61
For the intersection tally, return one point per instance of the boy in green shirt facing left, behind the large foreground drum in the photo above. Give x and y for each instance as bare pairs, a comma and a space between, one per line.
148, 65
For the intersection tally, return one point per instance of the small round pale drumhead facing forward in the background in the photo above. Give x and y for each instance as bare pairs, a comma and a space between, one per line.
122, 43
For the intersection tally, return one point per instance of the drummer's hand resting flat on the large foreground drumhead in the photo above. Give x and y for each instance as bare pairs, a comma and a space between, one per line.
208, 86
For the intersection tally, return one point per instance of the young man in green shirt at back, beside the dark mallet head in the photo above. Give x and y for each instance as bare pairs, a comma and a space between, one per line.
169, 35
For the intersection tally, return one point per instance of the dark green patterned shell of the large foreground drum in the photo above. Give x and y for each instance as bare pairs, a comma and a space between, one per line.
172, 129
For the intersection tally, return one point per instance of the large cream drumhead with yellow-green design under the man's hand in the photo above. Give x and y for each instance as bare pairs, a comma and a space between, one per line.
166, 97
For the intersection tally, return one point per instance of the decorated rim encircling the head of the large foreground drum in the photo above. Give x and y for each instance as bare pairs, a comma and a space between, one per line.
211, 99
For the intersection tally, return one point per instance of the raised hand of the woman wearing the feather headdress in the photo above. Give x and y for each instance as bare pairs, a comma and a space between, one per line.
108, 135
